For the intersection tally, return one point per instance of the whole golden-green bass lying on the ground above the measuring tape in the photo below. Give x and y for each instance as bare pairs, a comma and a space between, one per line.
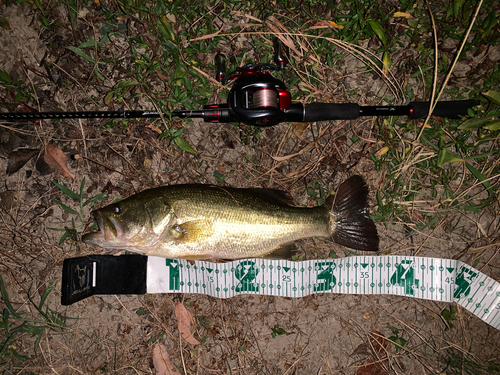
218, 223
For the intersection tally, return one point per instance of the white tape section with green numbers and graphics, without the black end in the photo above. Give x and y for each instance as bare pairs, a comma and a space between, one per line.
428, 278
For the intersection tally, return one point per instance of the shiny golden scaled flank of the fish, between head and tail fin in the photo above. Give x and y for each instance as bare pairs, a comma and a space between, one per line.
243, 222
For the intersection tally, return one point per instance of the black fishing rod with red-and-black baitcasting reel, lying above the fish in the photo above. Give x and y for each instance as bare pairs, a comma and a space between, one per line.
257, 98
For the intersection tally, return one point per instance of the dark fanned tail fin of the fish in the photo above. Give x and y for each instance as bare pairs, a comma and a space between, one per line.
351, 225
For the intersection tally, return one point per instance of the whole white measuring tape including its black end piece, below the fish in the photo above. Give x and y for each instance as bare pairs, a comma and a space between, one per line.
434, 279
